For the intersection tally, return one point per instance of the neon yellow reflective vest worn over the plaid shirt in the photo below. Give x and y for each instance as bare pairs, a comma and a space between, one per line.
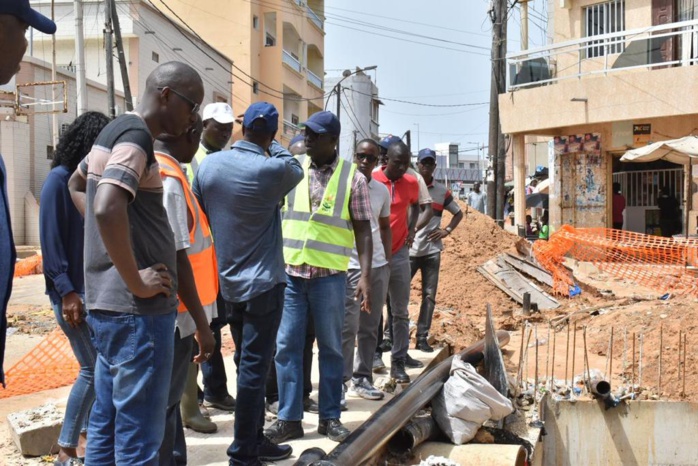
324, 238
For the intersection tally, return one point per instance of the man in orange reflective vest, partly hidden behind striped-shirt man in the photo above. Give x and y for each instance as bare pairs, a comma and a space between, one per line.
198, 279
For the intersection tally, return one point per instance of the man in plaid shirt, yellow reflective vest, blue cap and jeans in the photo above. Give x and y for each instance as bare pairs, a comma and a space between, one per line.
324, 216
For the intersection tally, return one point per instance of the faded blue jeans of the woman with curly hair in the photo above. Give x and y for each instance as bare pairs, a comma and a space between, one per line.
82, 395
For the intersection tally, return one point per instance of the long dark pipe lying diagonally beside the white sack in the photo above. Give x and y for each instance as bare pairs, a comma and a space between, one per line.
365, 441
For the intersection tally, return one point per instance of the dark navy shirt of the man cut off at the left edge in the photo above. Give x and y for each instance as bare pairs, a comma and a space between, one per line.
8, 256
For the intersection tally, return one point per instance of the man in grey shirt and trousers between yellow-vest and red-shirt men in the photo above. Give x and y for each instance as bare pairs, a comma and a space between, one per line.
361, 328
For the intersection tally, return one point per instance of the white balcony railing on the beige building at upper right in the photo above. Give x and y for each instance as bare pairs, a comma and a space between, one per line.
641, 49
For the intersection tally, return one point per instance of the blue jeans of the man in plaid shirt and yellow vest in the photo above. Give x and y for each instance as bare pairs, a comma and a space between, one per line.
323, 298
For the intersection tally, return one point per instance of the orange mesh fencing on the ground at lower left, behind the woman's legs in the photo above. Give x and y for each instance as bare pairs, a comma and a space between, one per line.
51, 364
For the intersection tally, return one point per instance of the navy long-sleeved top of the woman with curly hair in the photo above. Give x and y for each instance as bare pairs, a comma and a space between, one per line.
62, 237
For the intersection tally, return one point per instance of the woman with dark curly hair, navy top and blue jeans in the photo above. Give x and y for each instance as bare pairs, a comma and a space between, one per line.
62, 240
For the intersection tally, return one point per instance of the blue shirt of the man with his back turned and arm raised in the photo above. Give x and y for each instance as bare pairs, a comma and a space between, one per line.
241, 190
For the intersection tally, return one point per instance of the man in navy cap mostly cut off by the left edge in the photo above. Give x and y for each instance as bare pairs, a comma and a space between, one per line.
15, 17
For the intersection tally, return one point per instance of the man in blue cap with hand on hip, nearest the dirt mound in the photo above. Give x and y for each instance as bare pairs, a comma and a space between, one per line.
425, 253
